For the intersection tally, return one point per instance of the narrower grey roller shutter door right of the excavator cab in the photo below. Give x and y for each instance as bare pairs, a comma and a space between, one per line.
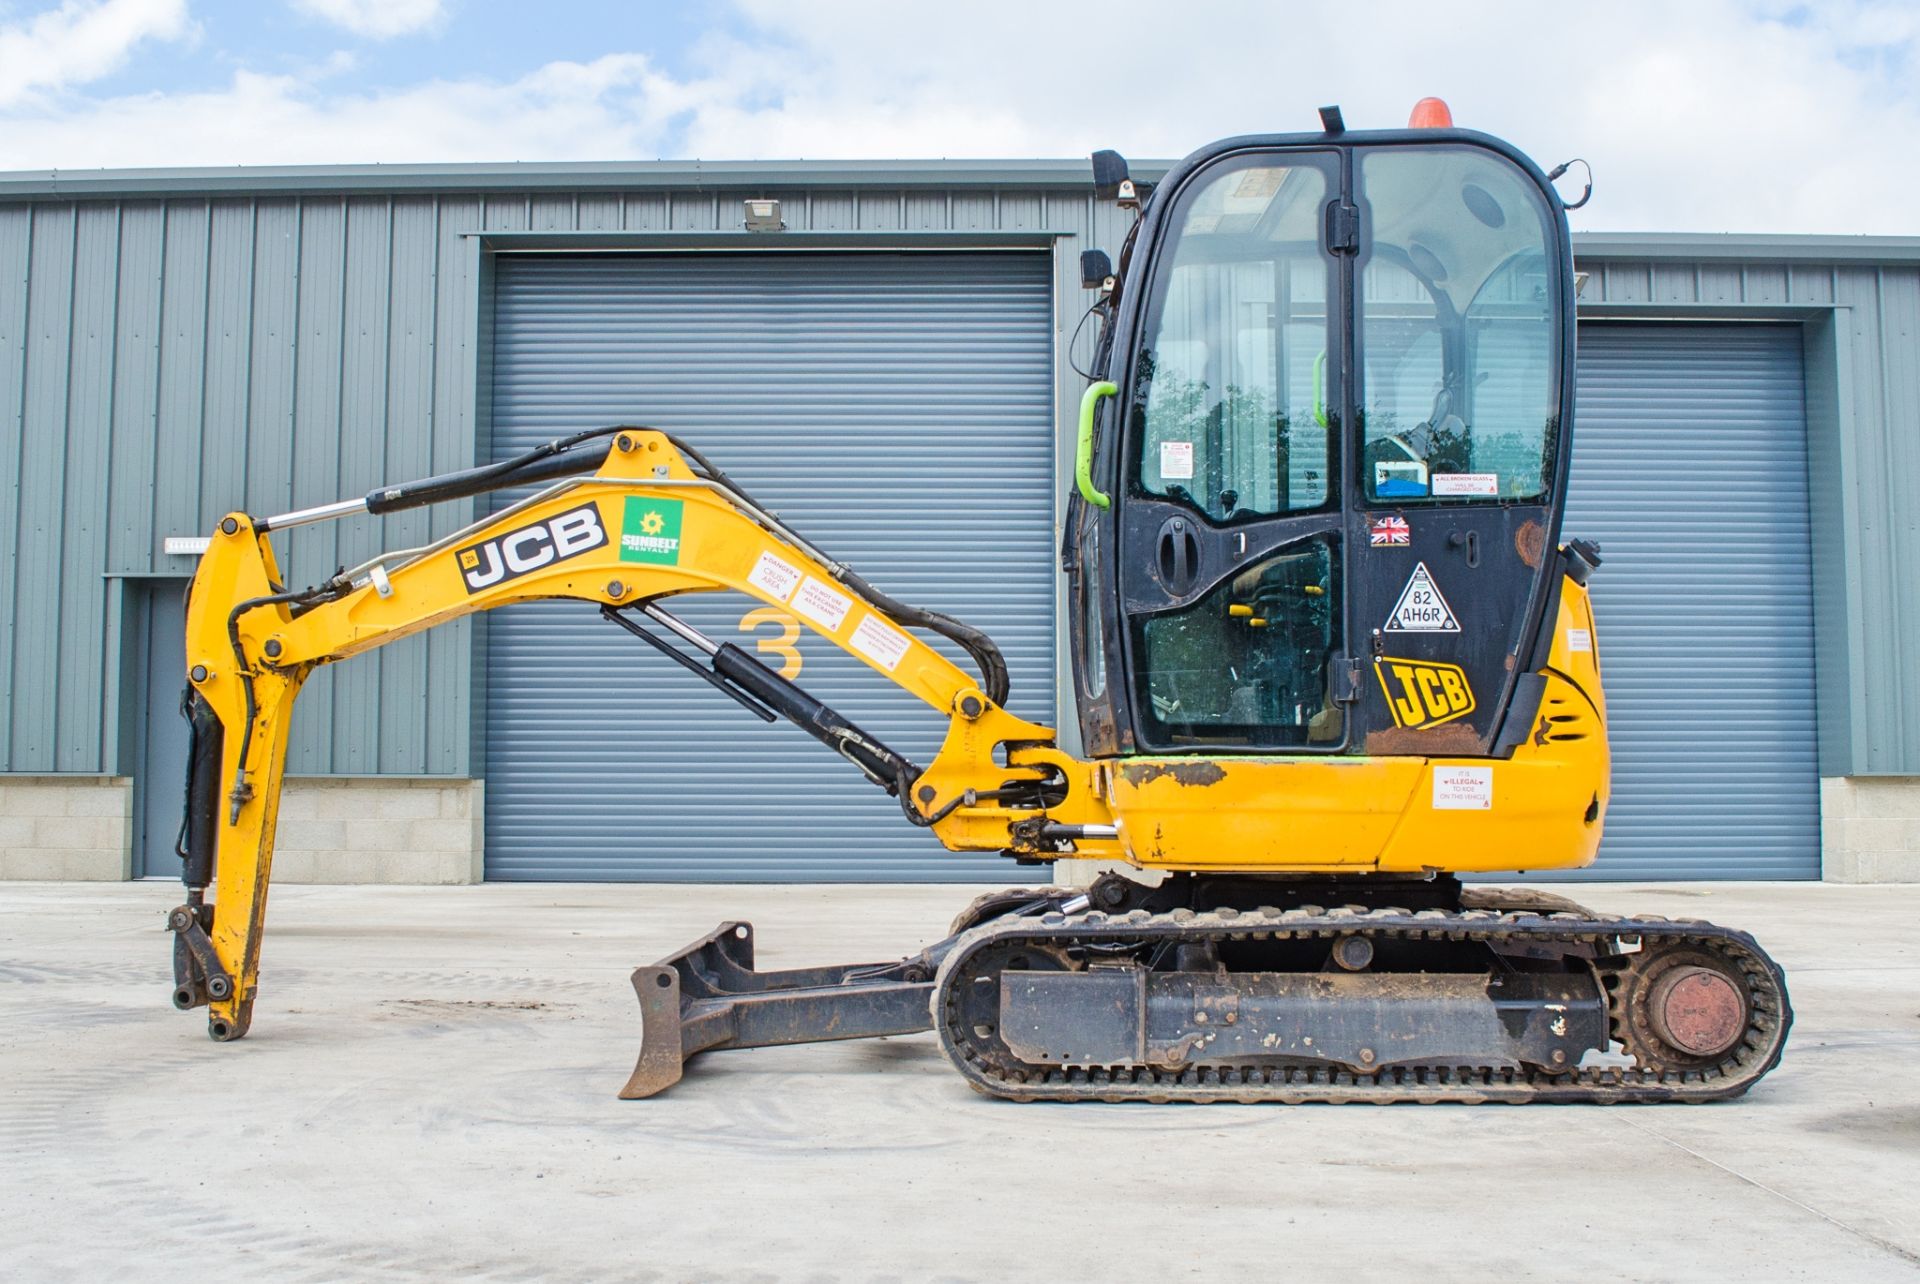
1691, 467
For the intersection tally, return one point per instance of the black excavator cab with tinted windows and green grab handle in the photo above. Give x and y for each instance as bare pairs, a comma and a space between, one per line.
1320, 496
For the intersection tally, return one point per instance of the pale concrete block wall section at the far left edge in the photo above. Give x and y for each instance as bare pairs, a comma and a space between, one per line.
76, 828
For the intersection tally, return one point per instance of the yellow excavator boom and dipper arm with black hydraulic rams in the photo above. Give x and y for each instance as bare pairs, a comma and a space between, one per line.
650, 523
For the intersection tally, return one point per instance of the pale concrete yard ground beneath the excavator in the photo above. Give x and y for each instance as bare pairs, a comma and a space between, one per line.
429, 1091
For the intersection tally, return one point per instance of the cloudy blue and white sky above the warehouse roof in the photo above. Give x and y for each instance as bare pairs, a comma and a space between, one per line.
1712, 116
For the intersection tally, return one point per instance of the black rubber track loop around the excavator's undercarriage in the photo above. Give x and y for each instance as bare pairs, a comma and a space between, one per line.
992, 1072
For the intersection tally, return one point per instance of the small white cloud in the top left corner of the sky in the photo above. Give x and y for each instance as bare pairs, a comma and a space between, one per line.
82, 43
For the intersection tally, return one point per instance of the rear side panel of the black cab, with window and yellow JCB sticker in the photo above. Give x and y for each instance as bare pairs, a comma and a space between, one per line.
1458, 333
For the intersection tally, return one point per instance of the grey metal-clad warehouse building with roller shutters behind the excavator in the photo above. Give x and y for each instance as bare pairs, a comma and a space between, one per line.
892, 375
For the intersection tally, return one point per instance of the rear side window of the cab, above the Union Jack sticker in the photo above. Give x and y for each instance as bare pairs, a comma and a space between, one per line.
1458, 329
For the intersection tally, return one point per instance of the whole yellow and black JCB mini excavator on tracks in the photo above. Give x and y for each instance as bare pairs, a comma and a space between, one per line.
1332, 655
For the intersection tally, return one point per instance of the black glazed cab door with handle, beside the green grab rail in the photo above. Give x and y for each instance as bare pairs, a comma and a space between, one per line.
1230, 521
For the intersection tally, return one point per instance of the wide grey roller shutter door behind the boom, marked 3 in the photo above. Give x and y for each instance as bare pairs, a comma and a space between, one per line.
894, 408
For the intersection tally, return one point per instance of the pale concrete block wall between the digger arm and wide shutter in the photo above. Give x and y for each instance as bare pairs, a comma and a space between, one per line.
383, 830
